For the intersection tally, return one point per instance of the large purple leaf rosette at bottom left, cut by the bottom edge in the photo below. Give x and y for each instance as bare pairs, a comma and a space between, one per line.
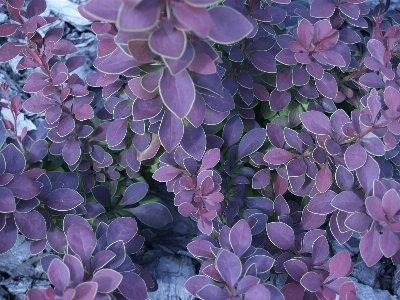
96, 266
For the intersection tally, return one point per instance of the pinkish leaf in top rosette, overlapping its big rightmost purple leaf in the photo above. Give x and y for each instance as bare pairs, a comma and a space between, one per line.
197, 19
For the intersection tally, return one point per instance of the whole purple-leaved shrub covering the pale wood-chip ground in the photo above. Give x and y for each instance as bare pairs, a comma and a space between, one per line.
275, 126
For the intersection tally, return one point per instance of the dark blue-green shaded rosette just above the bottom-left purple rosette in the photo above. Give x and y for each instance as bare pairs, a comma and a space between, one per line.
133, 203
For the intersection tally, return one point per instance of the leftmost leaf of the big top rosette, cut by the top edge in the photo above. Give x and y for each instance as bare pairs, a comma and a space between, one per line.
103, 10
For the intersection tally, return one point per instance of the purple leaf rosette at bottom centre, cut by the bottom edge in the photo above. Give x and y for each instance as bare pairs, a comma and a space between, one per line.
232, 267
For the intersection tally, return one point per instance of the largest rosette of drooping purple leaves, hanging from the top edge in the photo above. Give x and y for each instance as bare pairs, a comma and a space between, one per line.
171, 33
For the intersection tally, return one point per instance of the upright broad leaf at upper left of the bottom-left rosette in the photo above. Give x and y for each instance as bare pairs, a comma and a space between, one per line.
82, 241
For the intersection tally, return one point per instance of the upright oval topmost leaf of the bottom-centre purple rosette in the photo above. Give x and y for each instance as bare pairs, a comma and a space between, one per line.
240, 237
